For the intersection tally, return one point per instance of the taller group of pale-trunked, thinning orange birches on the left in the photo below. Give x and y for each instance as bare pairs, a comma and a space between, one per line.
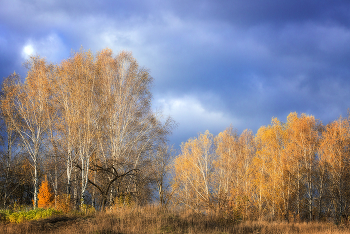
87, 123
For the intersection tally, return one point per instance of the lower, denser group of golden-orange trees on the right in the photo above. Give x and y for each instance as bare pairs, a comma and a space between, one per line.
298, 170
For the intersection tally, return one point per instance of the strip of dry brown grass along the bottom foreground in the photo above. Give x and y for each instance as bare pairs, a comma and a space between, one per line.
153, 220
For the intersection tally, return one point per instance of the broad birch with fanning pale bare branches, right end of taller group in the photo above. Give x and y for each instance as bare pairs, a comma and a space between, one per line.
130, 128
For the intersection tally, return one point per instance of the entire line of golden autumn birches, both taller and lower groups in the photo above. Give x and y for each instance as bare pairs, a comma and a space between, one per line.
86, 125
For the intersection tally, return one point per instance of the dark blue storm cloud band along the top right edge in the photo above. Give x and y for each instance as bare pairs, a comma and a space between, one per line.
275, 12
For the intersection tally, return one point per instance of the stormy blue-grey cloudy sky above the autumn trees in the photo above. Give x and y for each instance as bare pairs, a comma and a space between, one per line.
215, 63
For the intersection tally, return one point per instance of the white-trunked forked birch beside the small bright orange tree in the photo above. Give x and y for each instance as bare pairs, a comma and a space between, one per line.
31, 102
